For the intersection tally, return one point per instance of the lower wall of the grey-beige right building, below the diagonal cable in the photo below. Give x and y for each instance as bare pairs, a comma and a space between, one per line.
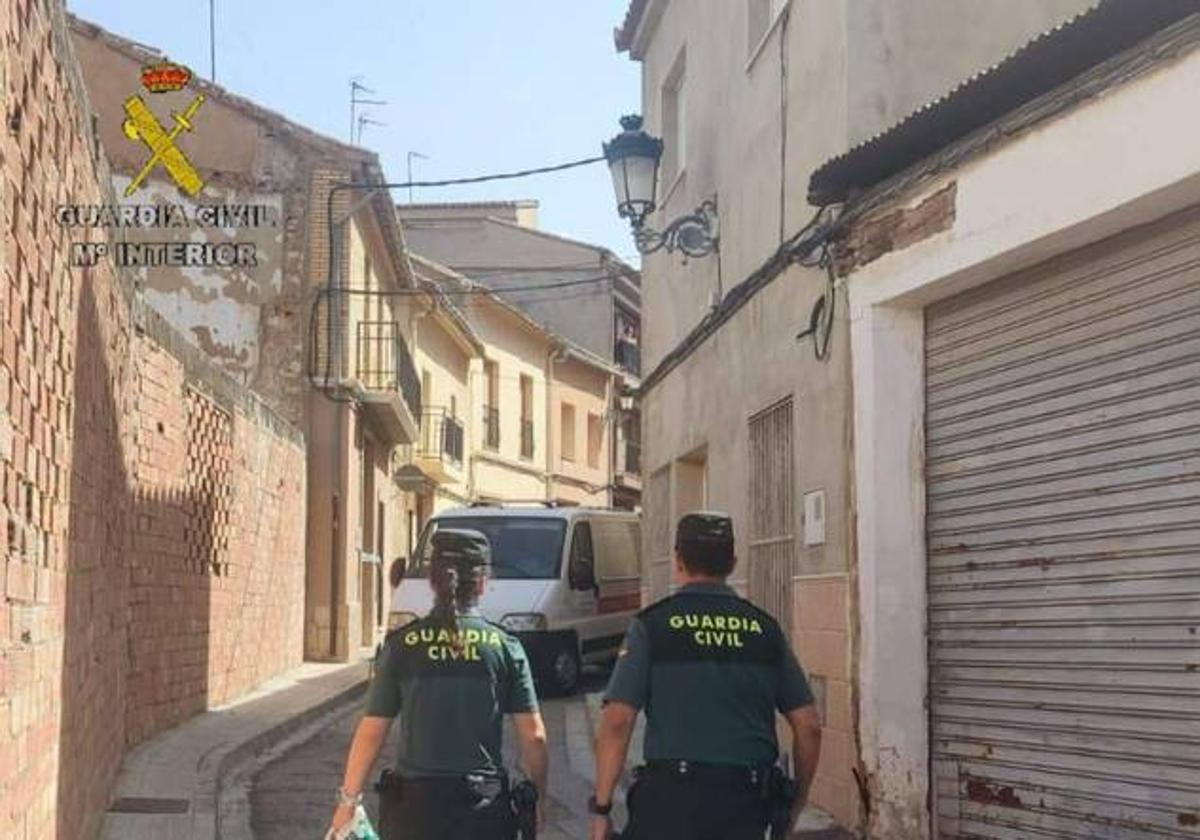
706, 407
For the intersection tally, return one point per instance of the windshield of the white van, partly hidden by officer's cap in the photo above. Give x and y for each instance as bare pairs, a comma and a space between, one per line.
524, 548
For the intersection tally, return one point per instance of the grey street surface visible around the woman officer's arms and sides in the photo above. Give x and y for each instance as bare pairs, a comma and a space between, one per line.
292, 796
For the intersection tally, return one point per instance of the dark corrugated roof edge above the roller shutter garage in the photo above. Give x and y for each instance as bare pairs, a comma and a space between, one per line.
1046, 63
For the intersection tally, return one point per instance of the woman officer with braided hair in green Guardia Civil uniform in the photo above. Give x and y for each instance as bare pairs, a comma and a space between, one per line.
453, 676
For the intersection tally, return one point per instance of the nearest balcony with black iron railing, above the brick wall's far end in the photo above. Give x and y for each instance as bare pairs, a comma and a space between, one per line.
387, 382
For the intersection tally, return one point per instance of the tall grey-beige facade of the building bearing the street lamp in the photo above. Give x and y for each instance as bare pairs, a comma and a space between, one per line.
748, 419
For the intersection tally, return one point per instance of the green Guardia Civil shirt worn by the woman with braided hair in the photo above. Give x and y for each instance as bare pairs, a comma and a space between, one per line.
454, 693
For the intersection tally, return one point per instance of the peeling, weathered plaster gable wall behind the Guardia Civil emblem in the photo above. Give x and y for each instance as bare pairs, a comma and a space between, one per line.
253, 321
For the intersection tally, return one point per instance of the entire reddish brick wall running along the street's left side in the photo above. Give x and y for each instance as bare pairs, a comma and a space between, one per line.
115, 621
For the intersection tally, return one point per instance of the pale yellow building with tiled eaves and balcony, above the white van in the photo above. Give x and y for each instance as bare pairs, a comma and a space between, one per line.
531, 409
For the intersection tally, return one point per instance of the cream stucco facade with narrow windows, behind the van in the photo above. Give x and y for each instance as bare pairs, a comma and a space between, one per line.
518, 381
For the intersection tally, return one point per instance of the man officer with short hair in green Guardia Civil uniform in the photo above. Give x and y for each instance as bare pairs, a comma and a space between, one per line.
711, 670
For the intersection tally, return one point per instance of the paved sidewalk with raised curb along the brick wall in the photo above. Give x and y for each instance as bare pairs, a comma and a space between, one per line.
170, 788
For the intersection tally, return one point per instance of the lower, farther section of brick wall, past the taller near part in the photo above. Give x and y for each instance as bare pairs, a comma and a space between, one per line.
218, 562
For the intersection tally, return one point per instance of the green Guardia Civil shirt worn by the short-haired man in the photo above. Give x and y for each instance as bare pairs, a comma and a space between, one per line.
710, 669
